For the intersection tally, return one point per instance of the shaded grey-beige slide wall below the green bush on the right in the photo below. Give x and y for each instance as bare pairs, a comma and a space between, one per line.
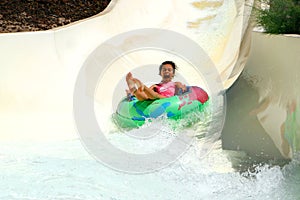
263, 116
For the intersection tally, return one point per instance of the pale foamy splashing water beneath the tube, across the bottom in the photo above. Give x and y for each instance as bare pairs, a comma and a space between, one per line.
66, 169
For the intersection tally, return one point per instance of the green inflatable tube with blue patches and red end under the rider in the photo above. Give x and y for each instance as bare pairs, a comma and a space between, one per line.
133, 113
